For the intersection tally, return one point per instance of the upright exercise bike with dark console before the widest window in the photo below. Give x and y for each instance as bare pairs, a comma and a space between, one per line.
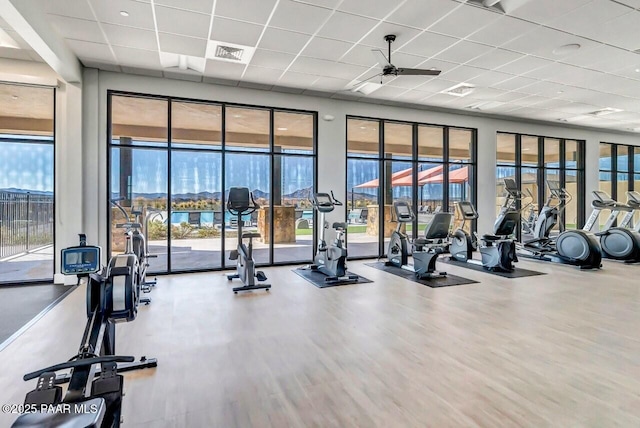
239, 203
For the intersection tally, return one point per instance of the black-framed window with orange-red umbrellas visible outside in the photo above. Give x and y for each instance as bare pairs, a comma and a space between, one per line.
429, 166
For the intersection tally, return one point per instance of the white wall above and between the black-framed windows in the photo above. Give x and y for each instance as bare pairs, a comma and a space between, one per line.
331, 137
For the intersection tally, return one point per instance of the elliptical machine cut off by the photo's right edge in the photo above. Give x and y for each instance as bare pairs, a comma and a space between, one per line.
617, 243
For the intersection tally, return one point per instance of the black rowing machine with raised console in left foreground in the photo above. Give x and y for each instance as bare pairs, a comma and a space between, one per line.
94, 395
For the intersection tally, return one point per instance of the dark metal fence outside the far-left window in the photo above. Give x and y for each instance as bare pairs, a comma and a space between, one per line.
26, 222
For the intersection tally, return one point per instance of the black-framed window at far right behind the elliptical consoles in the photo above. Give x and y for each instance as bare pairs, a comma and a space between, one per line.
619, 172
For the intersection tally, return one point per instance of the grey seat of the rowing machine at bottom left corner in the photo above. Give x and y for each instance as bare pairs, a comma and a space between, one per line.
89, 413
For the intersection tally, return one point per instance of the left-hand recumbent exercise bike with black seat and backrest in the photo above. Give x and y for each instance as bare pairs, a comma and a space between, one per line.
425, 250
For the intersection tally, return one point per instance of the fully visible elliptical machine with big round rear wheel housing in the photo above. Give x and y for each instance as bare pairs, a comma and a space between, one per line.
575, 247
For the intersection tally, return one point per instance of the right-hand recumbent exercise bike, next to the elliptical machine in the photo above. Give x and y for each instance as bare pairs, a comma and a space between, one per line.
498, 250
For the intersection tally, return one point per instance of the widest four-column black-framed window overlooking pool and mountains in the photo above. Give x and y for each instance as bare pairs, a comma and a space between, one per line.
175, 160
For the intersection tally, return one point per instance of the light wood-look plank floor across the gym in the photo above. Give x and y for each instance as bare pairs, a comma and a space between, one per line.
558, 350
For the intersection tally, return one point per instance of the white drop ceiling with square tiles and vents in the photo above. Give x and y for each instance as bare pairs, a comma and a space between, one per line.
321, 46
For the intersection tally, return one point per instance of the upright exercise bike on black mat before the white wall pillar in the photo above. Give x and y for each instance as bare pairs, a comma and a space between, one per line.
331, 260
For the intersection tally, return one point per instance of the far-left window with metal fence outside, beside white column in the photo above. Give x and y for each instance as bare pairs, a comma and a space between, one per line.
26, 183
